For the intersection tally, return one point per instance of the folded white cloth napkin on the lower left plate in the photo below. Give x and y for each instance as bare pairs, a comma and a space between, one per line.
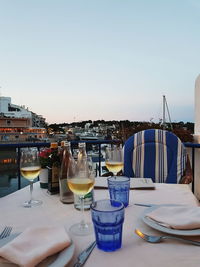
34, 245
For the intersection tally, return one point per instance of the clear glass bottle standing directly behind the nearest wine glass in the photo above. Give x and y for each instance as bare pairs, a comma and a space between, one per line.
83, 161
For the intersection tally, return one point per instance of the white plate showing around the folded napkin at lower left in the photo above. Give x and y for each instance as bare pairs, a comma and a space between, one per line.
59, 259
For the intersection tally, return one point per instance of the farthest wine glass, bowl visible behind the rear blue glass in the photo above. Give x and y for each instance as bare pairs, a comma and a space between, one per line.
114, 159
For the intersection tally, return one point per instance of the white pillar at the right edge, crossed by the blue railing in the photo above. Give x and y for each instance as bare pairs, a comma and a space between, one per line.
197, 137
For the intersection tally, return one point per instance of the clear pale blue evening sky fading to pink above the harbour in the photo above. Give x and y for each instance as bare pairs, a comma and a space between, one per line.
74, 60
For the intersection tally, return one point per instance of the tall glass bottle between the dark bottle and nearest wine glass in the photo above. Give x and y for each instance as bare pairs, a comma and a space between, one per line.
66, 195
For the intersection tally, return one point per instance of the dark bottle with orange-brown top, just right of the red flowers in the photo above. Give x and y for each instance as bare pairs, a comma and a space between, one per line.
54, 170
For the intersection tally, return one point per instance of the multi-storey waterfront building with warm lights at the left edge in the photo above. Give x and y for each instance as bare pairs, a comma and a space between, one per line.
20, 124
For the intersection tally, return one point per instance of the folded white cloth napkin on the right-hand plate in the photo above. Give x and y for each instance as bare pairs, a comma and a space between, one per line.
177, 217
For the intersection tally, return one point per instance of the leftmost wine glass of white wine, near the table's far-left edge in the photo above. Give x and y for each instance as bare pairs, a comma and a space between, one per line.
30, 169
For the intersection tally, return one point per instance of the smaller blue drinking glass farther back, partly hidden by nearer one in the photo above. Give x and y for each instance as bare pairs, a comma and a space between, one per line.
119, 188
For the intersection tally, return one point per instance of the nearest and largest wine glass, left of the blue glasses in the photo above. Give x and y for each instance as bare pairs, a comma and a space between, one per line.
80, 180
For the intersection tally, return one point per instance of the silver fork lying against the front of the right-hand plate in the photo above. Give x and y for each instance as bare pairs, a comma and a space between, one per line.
158, 239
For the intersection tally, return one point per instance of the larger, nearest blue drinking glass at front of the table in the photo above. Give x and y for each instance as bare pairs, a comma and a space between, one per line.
108, 223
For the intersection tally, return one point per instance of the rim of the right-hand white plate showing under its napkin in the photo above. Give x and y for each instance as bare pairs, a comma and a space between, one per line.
161, 228
